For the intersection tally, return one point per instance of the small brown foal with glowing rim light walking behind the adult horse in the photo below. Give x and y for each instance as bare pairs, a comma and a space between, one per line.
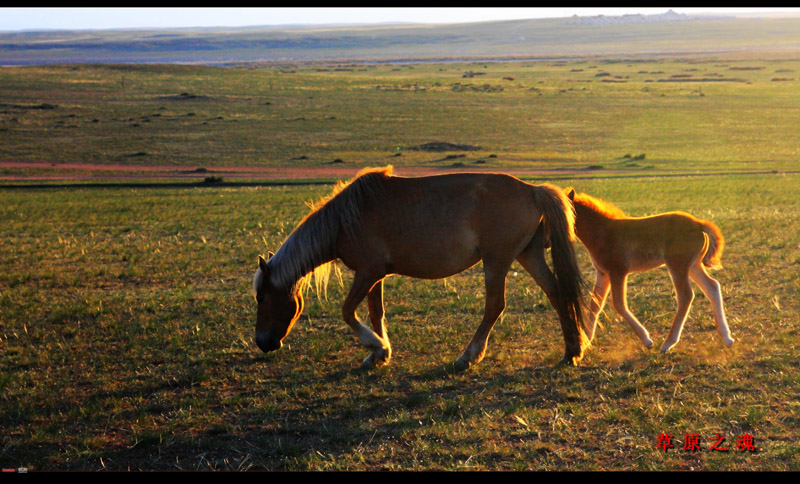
619, 245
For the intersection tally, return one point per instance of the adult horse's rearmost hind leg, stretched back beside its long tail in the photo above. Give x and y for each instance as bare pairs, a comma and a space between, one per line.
533, 260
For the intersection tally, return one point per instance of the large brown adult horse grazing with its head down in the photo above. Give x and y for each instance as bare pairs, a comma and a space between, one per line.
427, 227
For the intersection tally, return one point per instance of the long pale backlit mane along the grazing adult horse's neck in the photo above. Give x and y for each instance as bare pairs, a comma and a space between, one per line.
310, 248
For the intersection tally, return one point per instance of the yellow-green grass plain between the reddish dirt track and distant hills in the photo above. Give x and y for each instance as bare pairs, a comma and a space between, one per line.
551, 115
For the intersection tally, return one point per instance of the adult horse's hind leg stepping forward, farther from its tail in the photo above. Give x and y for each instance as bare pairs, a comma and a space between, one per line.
495, 282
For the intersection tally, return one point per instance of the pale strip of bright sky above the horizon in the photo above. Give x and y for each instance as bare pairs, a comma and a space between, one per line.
44, 18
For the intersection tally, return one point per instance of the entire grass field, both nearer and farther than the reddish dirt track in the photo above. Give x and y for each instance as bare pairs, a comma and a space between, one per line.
126, 318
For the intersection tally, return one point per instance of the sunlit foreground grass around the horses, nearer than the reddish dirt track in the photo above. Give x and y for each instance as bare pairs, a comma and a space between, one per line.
127, 331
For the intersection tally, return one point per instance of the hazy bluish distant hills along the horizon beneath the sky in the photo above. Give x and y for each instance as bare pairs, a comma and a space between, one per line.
669, 33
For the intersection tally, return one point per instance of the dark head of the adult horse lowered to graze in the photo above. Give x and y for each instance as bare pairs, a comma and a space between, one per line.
278, 309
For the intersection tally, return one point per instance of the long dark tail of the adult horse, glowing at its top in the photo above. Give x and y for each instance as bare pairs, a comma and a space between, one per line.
558, 216
